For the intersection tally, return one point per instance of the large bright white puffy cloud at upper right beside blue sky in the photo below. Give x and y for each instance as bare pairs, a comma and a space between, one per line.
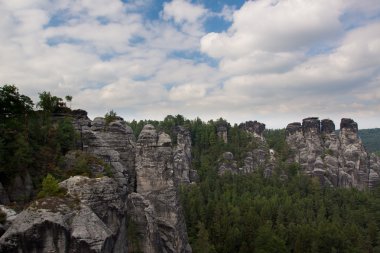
275, 26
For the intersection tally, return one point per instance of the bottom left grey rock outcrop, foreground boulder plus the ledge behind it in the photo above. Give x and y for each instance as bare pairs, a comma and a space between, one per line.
85, 221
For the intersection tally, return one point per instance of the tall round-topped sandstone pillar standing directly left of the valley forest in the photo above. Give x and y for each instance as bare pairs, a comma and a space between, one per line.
156, 183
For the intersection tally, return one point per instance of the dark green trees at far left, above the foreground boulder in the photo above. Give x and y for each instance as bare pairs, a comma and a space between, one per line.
35, 142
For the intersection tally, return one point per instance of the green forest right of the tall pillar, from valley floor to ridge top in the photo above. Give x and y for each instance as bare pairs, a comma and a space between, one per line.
288, 212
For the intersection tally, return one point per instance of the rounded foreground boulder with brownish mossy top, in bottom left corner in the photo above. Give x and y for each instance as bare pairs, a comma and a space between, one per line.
53, 225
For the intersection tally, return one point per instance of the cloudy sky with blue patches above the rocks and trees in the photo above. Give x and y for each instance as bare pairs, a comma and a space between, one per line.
274, 61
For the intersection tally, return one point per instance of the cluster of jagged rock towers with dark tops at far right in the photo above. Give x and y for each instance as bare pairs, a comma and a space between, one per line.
337, 160
